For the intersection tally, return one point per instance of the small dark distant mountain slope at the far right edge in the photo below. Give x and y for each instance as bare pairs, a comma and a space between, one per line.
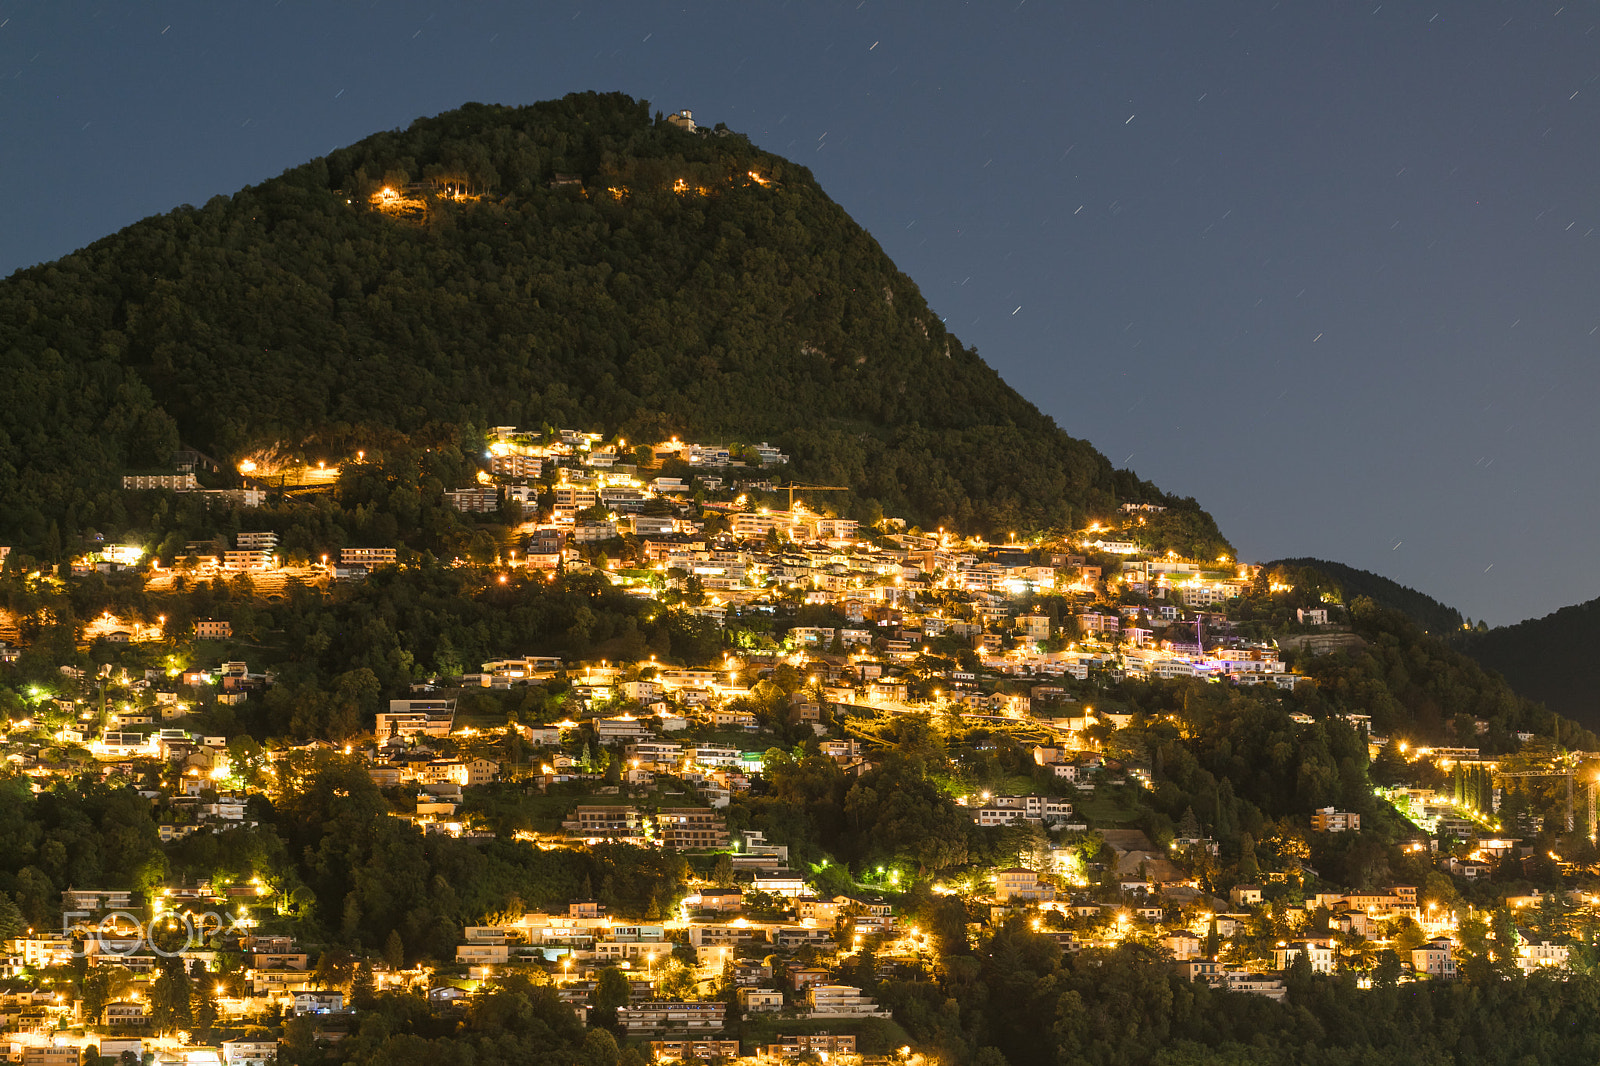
1548, 659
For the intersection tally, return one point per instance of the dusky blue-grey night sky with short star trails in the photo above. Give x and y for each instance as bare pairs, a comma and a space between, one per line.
1329, 268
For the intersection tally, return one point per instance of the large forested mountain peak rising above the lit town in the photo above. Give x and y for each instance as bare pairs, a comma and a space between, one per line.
574, 263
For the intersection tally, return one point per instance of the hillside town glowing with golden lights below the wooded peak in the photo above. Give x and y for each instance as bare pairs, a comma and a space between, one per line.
838, 649
